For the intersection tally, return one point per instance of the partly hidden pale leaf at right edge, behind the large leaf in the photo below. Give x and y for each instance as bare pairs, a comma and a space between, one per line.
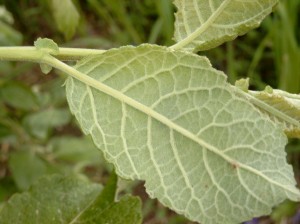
282, 107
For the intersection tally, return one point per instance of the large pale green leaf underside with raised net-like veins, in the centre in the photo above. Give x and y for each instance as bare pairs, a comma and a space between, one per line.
170, 119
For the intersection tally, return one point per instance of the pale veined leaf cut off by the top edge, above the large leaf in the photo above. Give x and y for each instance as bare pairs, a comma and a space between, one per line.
205, 24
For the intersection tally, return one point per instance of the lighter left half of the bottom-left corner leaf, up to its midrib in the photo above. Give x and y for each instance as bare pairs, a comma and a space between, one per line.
51, 200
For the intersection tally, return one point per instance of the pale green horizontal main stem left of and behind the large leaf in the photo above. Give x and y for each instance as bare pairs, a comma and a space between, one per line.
32, 54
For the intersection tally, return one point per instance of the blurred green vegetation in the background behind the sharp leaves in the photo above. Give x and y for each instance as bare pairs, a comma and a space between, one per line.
39, 136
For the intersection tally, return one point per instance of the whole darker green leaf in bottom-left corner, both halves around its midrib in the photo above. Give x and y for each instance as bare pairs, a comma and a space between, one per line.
69, 200
